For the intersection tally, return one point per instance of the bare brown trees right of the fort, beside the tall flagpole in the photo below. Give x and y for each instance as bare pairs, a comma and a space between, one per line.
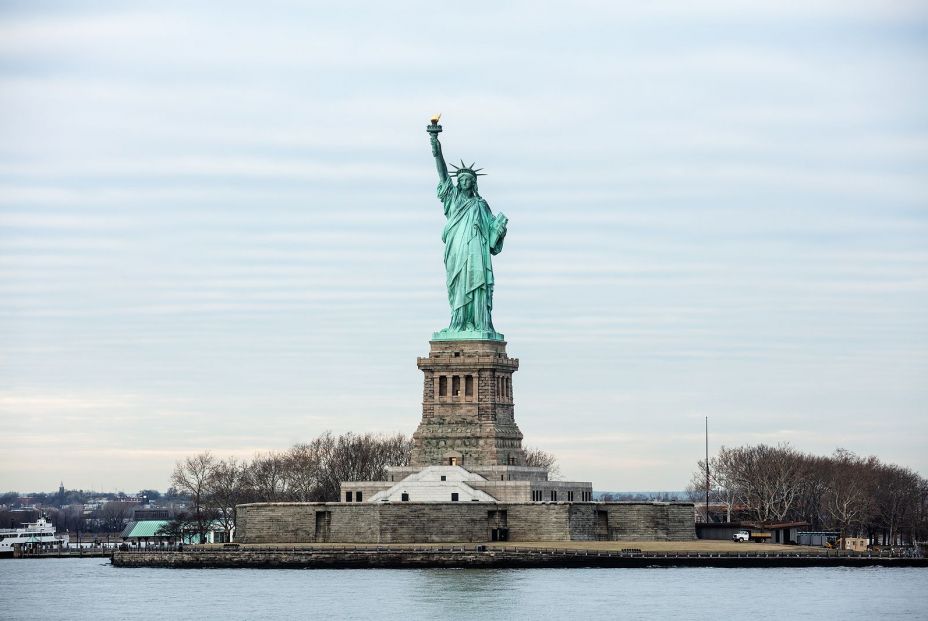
854, 495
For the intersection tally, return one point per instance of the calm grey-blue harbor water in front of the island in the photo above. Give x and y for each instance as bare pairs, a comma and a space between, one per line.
93, 589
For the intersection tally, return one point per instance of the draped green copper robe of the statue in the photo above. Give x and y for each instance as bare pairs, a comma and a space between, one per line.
471, 235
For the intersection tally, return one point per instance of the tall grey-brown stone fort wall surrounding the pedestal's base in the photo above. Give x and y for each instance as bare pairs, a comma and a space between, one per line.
461, 522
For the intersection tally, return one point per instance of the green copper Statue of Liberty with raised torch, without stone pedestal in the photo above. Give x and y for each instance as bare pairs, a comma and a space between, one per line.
471, 235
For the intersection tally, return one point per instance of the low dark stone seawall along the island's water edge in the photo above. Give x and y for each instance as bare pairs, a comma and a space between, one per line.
471, 556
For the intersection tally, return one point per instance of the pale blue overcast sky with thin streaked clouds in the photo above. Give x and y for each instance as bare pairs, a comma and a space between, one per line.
219, 229
